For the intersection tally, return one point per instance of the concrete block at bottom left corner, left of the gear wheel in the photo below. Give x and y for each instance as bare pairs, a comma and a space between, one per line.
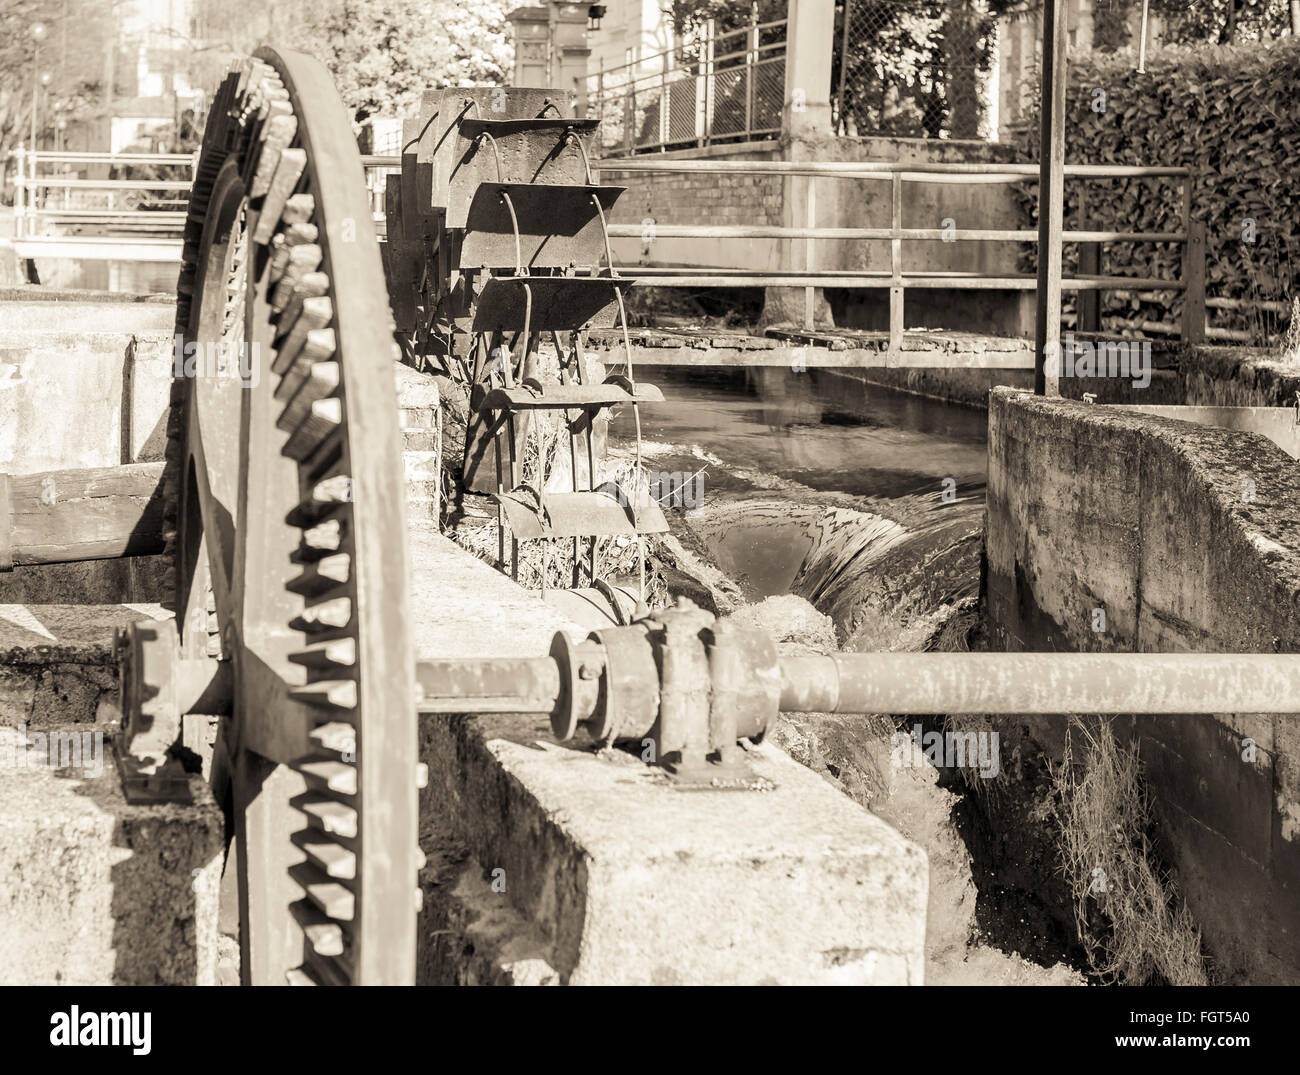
96, 892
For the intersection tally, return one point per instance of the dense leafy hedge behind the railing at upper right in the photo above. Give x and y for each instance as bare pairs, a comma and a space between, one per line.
1229, 114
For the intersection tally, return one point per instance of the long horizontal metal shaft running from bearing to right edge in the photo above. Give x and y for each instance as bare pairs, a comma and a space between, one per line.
1046, 683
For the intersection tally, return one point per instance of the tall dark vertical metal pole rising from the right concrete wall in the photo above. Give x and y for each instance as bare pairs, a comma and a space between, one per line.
1047, 330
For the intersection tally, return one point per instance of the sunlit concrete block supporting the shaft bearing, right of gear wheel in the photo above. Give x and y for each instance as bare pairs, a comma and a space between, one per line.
606, 874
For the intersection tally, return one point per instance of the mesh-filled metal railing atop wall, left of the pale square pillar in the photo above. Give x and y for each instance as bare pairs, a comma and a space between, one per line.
729, 88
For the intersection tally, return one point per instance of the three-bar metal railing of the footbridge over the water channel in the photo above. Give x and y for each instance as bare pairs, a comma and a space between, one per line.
805, 237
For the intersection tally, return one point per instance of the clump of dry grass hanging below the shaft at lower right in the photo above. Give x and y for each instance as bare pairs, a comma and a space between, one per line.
1129, 916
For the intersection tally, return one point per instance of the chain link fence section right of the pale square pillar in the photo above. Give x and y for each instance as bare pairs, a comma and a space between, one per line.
916, 68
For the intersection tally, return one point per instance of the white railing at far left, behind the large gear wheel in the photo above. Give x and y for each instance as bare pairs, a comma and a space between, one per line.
60, 213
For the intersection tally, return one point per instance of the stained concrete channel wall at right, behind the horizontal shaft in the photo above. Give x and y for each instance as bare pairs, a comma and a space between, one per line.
1189, 537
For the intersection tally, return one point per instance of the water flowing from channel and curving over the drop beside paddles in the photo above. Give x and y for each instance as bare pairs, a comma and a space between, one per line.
863, 500
